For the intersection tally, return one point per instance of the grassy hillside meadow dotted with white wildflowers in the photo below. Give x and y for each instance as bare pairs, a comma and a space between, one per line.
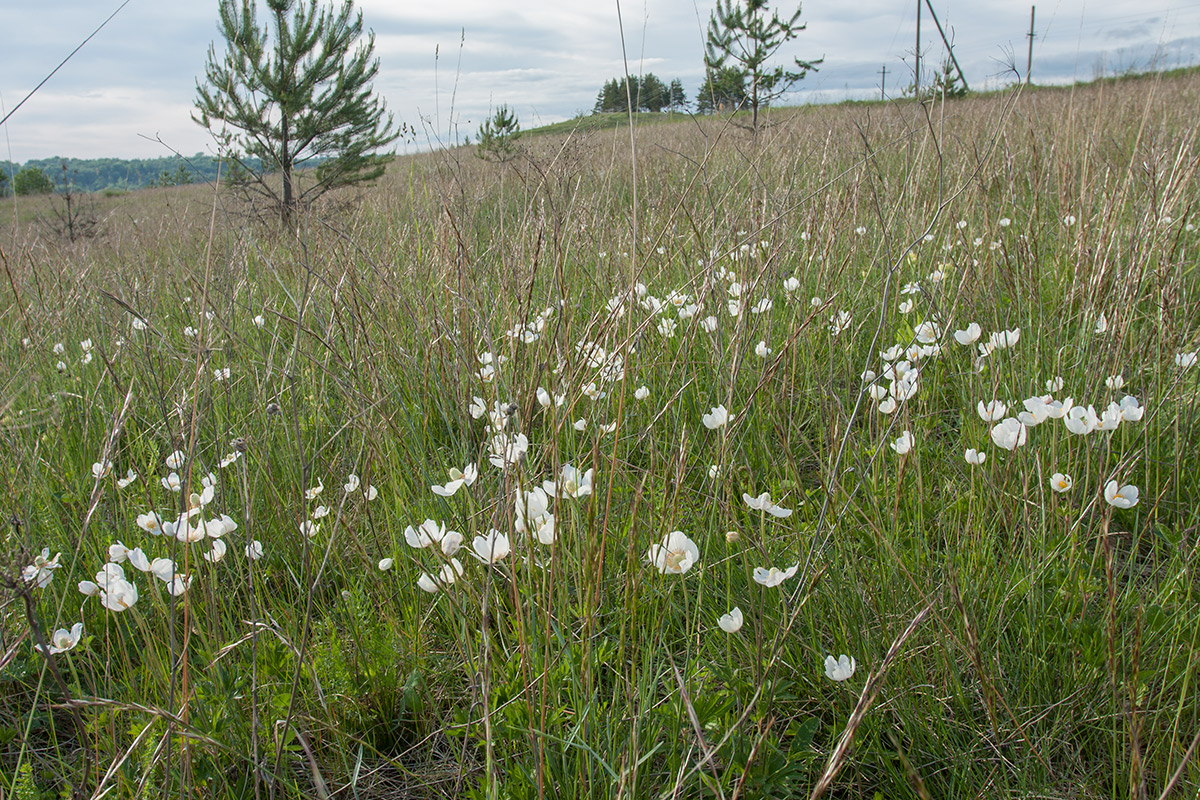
854, 460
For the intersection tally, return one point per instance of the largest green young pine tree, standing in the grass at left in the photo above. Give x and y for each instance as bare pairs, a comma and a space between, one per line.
292, 93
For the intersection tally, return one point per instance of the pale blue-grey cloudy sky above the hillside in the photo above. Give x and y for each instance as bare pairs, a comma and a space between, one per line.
445, 64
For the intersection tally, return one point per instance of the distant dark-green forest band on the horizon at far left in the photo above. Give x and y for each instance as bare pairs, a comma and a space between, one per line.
121, 175
